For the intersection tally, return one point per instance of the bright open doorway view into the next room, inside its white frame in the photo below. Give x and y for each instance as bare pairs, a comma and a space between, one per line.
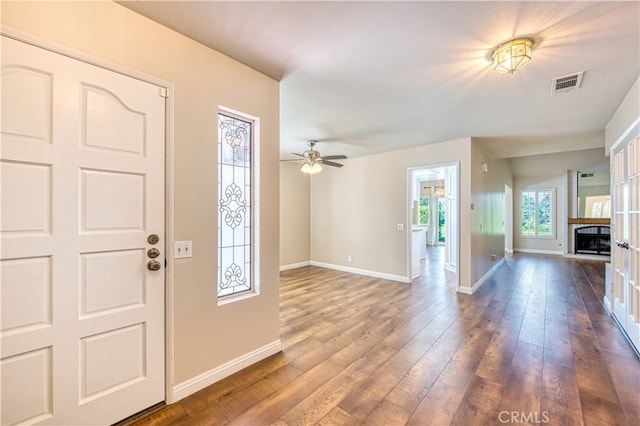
433, 211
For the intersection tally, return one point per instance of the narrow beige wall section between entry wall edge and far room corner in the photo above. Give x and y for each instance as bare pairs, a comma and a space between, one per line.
294, 215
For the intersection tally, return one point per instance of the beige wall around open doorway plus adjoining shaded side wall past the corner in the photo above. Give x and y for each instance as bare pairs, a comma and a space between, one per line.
355, 210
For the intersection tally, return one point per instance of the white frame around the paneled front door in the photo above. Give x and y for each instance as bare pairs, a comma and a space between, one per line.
169, 170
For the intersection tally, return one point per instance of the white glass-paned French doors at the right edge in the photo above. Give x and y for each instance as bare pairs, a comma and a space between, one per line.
625, 287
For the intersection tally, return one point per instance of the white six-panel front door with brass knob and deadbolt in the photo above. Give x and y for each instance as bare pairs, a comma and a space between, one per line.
82, 188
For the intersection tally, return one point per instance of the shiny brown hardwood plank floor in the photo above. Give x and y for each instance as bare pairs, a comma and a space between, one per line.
534, 345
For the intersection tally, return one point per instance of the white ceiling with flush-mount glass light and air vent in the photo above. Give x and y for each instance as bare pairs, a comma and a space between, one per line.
367, 77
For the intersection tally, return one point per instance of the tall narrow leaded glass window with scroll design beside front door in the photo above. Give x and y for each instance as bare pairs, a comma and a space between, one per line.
234, 205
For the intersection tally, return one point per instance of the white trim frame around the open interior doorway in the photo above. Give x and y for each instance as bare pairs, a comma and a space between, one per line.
410, 193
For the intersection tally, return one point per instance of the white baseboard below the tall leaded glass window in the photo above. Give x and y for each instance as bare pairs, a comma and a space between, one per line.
201, 381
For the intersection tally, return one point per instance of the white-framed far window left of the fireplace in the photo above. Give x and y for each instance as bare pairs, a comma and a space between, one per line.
537, 213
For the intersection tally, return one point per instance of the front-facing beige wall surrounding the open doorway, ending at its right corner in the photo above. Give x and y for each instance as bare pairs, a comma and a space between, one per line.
355, 209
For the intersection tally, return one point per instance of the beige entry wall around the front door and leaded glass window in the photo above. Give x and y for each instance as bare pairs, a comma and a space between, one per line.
205, 335
